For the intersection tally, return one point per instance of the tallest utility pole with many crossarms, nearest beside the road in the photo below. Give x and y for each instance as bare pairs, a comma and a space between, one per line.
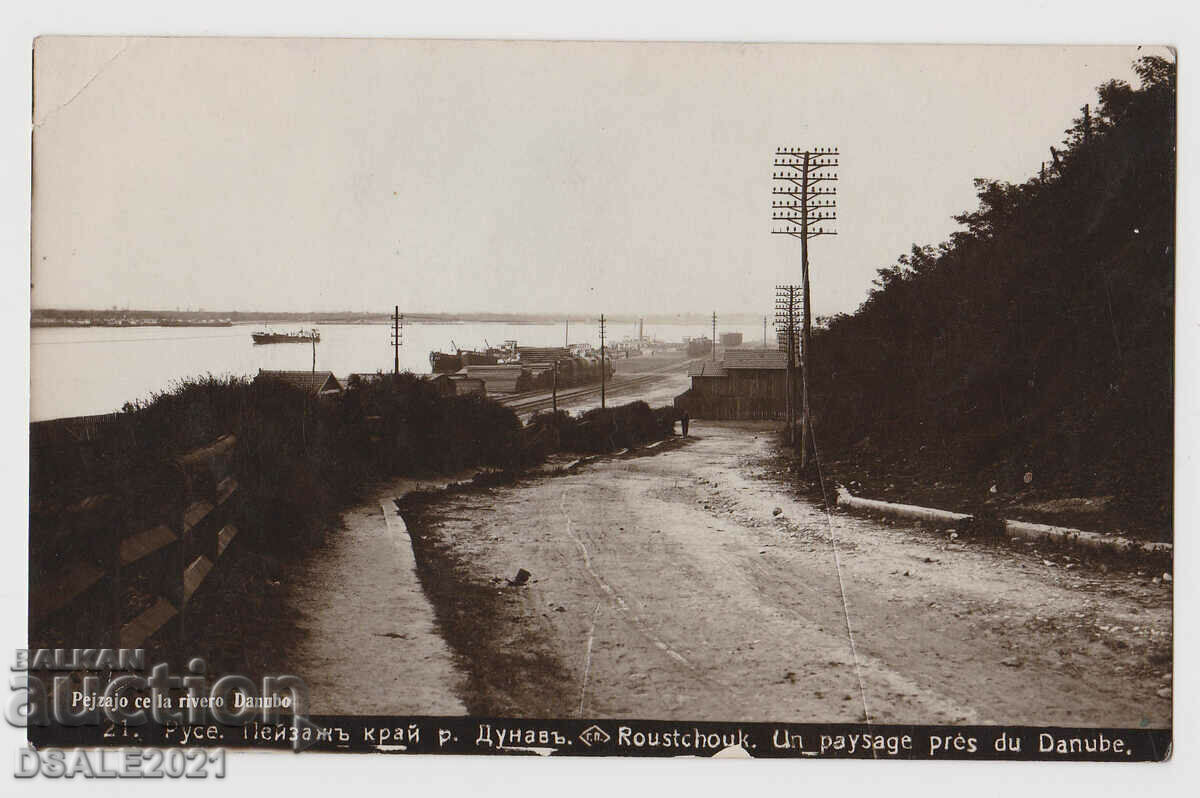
797, 176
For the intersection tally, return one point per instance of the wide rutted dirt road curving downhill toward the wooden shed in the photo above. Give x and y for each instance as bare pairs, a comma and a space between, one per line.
668, 586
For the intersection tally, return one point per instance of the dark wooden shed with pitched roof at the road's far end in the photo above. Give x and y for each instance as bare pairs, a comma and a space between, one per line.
746, 385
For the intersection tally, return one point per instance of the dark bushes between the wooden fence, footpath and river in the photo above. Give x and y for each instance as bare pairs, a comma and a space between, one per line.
299, 460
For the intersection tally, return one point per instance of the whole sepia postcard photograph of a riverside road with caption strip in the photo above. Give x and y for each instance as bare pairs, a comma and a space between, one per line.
603, 399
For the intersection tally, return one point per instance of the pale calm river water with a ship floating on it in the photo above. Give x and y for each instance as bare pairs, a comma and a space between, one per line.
83, 371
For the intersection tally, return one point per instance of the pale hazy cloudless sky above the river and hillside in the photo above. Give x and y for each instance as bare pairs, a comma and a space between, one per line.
442, 176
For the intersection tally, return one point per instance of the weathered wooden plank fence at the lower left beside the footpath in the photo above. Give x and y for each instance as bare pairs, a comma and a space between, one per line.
125, 574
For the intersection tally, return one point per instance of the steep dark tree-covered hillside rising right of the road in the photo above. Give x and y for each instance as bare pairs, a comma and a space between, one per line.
1040, 338
